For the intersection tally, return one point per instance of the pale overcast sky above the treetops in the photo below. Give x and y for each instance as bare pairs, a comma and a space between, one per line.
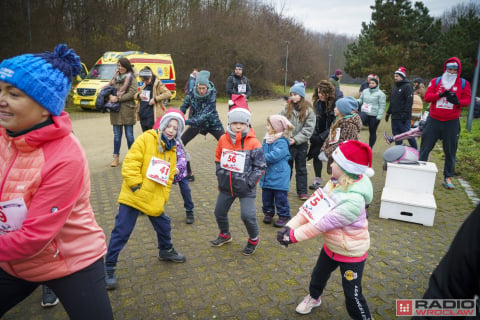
343, 16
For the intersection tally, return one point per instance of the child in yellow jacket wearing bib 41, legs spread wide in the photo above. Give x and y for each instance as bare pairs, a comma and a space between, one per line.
148, 171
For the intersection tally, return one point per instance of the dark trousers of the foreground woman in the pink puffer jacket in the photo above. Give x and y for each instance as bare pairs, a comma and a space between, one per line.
83, 294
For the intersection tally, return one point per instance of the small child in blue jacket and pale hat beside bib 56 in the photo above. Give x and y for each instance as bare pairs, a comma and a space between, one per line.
276, 181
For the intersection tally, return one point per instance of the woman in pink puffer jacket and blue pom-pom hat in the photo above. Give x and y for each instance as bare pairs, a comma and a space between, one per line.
48, 232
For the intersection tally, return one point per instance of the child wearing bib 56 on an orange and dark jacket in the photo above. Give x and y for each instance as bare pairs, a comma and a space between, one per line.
240, 163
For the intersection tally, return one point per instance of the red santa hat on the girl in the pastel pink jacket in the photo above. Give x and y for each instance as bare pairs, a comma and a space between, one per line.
354, 157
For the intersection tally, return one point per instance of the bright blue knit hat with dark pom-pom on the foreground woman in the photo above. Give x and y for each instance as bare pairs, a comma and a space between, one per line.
44, 77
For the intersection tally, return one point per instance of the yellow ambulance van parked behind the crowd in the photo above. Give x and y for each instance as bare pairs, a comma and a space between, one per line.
85, 93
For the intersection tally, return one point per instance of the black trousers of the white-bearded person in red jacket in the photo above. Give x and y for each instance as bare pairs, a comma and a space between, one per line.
449, 132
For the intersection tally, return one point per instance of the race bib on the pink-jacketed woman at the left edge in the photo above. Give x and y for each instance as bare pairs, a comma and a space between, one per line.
12, 215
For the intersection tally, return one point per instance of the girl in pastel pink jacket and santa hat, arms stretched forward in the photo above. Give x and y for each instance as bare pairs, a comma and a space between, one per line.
338, 213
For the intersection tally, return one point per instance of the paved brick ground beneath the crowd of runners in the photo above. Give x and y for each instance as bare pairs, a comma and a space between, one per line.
221, 283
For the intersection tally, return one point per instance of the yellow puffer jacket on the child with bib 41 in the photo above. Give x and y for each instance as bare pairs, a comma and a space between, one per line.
151, 197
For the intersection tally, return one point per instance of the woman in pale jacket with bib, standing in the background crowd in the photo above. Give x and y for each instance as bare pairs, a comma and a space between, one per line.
372, 101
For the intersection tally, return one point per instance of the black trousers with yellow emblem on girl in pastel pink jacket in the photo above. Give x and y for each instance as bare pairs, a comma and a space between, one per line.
351, 281
